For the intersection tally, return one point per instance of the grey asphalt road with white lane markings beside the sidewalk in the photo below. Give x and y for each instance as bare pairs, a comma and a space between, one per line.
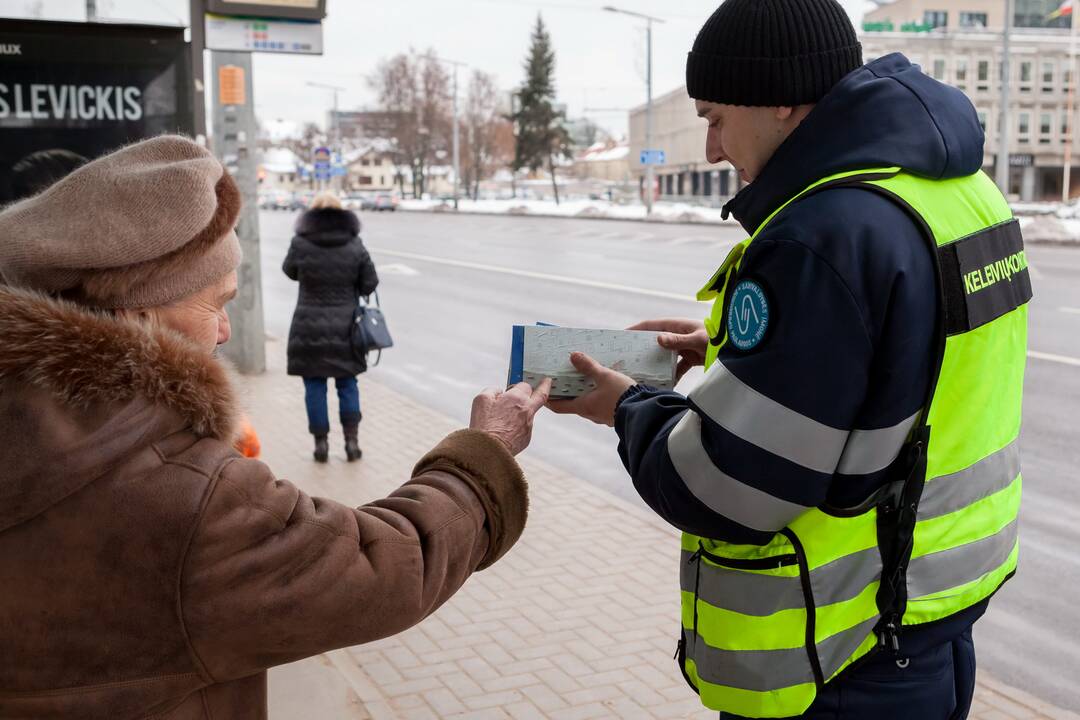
454, 286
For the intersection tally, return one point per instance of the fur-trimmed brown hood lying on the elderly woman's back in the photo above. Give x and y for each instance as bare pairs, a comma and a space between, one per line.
80, 391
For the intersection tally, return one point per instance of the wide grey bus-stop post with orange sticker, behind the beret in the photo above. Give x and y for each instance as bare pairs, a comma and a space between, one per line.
235, 137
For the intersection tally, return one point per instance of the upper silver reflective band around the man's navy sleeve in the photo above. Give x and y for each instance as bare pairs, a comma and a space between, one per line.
761, 422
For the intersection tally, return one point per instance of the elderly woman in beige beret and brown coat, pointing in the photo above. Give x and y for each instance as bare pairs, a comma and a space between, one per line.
148, 570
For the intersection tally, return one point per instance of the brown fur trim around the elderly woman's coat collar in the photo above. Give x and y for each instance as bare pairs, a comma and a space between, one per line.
85, 358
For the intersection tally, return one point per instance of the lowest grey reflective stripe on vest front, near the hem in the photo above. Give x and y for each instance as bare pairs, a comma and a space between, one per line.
762, 671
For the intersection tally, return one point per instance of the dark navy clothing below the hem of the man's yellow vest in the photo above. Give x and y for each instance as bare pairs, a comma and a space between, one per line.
937, 685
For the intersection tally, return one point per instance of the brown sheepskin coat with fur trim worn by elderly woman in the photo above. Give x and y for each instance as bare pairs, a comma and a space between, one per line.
147, 570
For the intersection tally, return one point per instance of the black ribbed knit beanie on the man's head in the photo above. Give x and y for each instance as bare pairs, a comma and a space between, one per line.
773, 53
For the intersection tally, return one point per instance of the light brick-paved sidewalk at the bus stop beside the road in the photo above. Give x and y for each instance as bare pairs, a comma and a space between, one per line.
577, 622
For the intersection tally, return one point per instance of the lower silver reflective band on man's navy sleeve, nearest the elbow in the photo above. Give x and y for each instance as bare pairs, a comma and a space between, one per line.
719, 492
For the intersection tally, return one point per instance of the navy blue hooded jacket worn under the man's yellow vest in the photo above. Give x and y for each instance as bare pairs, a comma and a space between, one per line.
852, 292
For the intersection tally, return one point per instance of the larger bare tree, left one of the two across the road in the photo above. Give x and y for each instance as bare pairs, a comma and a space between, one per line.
416, 88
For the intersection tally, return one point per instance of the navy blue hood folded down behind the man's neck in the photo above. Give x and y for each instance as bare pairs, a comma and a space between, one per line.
886, 114
